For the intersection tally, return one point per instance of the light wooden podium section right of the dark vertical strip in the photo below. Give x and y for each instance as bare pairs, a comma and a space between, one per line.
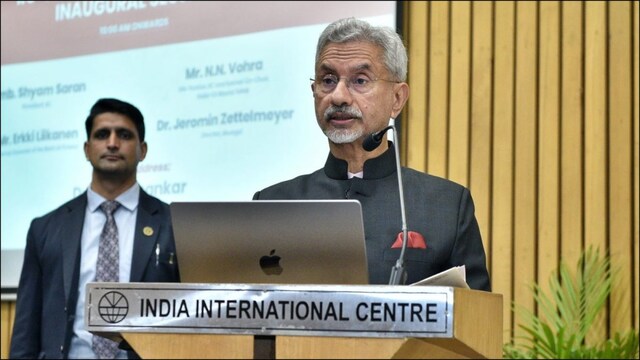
477, 334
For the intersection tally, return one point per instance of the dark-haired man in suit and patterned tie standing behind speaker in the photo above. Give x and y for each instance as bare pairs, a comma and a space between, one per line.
114, 231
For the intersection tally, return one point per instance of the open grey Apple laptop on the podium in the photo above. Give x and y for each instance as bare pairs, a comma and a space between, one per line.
271, 242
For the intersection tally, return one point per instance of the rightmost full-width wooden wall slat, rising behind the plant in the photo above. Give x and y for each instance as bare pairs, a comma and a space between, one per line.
620, 159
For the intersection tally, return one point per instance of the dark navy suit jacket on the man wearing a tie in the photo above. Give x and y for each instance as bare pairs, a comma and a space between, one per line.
48, 288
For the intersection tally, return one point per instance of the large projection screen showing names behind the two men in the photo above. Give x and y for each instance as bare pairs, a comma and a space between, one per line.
224, 88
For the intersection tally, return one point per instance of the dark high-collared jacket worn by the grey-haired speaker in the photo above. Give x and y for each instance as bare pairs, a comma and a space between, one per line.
438, 209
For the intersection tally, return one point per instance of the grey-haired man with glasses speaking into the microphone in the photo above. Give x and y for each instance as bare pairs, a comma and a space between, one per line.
359, 85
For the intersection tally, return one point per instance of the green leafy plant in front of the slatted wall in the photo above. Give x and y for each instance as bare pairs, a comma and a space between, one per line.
565, 317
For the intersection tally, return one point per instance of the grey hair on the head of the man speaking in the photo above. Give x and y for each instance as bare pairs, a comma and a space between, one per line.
351, 29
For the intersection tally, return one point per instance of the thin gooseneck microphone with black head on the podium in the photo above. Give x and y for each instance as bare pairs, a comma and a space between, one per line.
371, 142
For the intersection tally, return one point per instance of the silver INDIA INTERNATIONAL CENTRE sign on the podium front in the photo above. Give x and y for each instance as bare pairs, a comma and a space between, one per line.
314, 310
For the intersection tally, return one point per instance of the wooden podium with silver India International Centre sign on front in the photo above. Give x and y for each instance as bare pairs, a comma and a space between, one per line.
245, 321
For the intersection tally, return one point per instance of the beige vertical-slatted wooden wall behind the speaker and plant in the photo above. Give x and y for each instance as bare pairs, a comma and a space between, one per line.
534, 107
